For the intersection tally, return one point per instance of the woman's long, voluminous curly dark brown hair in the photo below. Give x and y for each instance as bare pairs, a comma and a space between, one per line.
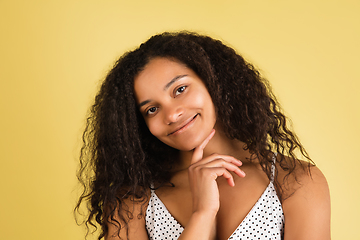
120, 158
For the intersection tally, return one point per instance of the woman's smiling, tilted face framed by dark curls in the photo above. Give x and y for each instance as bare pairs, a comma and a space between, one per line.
175, 103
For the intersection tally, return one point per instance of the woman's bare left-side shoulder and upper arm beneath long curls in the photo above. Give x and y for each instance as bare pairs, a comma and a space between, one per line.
131, 225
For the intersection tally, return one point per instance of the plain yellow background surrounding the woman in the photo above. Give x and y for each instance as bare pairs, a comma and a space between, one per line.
54, 53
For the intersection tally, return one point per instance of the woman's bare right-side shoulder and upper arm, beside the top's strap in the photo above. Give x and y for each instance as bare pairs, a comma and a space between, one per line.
306, 204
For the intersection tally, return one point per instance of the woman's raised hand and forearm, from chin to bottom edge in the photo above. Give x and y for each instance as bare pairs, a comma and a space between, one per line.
203, 173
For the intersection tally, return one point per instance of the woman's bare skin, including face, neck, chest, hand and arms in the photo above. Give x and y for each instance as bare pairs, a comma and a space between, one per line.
217, 184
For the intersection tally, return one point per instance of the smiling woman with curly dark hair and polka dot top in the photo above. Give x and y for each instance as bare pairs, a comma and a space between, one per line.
186, 141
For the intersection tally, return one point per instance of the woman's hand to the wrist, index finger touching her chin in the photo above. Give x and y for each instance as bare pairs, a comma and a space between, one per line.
203, 173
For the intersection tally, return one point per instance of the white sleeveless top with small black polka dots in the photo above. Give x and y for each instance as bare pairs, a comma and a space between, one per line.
264, 221
